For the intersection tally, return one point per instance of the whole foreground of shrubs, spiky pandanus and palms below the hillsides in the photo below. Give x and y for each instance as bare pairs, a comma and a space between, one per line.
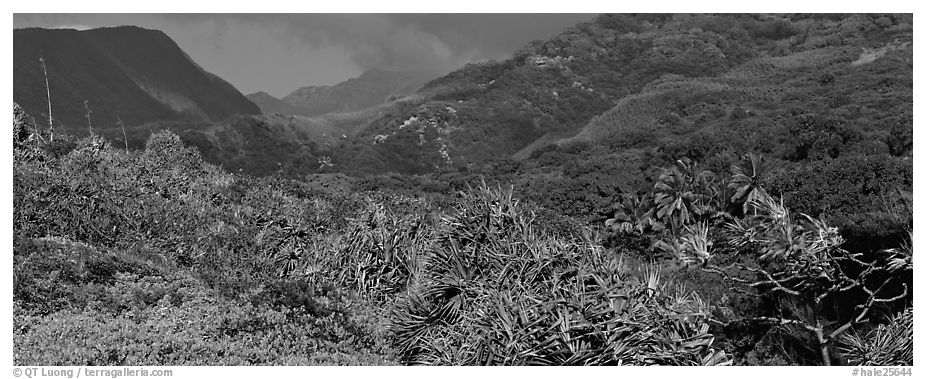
154, 257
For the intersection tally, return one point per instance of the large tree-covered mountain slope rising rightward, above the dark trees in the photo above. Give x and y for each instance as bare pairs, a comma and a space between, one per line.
651, 82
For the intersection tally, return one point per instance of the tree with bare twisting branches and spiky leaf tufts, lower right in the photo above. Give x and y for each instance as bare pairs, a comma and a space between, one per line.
801, 258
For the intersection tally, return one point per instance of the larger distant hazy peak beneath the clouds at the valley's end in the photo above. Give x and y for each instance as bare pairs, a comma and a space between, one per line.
372, 88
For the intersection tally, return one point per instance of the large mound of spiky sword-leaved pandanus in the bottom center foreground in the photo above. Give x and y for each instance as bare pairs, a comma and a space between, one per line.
495, 291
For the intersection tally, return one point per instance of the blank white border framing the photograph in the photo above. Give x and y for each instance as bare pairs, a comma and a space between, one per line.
479, 6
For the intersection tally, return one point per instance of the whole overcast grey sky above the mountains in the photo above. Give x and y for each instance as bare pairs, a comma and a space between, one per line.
278, 53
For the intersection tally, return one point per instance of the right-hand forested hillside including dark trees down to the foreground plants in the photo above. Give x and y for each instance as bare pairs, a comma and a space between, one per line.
826, 100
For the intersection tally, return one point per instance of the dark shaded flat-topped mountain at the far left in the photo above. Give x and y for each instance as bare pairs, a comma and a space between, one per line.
135, 74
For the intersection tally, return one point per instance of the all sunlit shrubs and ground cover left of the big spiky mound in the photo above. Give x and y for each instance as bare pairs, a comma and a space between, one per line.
126, 248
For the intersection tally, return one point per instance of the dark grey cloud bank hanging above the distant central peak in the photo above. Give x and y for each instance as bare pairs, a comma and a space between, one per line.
419, 41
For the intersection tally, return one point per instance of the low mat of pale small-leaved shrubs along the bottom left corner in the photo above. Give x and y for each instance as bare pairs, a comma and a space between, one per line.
204, 331
